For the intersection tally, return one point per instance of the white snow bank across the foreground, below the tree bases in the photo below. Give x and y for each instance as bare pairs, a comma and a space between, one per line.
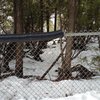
13, 88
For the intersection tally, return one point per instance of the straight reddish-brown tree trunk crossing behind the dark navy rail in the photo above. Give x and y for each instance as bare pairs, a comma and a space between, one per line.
18, 26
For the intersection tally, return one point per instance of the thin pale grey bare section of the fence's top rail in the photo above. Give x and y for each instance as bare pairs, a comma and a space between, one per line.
82, 34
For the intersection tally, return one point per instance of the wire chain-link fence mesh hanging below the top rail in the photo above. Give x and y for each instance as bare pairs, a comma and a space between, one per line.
51, 68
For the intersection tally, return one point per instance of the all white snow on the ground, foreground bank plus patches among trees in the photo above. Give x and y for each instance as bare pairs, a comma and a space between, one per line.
13, 88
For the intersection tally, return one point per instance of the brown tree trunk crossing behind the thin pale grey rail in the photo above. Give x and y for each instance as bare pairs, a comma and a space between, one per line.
68, 53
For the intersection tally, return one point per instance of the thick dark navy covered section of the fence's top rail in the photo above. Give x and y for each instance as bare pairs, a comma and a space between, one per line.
36, 36
